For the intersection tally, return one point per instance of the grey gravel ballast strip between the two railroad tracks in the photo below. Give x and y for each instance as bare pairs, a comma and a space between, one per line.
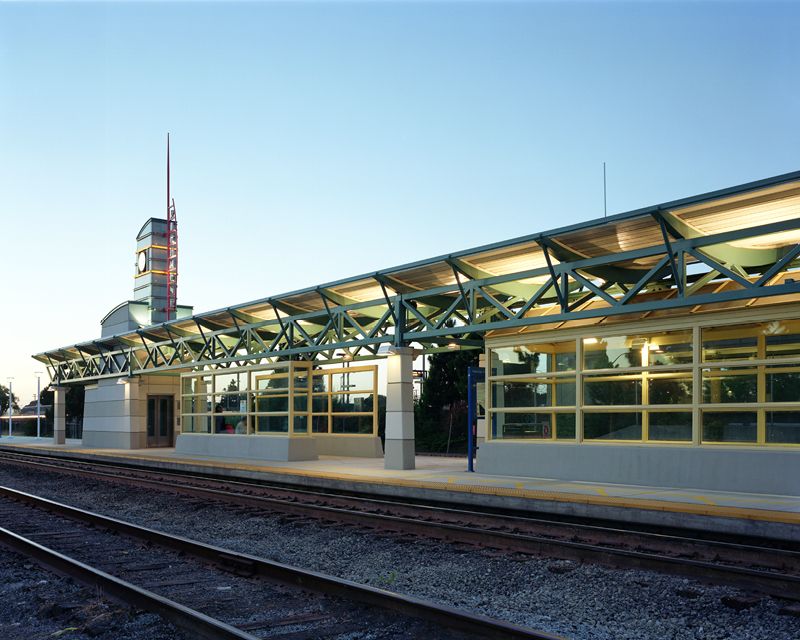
579, 602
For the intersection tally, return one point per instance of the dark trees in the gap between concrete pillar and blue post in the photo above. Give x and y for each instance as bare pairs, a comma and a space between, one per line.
444, 402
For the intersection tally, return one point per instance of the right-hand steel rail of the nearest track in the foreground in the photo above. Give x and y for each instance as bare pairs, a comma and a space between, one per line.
288, 576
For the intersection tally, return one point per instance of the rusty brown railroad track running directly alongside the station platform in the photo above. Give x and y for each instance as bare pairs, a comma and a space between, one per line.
754, 568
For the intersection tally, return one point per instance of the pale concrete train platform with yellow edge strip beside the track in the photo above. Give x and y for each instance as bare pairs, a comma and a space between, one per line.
445, 480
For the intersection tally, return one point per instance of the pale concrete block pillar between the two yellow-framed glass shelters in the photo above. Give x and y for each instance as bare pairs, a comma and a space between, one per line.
399, 447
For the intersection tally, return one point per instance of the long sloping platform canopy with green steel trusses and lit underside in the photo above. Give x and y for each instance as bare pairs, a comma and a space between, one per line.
727, 249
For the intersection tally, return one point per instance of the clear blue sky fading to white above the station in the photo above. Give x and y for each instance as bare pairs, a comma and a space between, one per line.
317, 141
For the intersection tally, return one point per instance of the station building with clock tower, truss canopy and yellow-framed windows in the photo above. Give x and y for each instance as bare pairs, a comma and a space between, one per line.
655, 347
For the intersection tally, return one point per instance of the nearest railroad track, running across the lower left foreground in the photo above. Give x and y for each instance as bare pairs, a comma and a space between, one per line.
151, 570
